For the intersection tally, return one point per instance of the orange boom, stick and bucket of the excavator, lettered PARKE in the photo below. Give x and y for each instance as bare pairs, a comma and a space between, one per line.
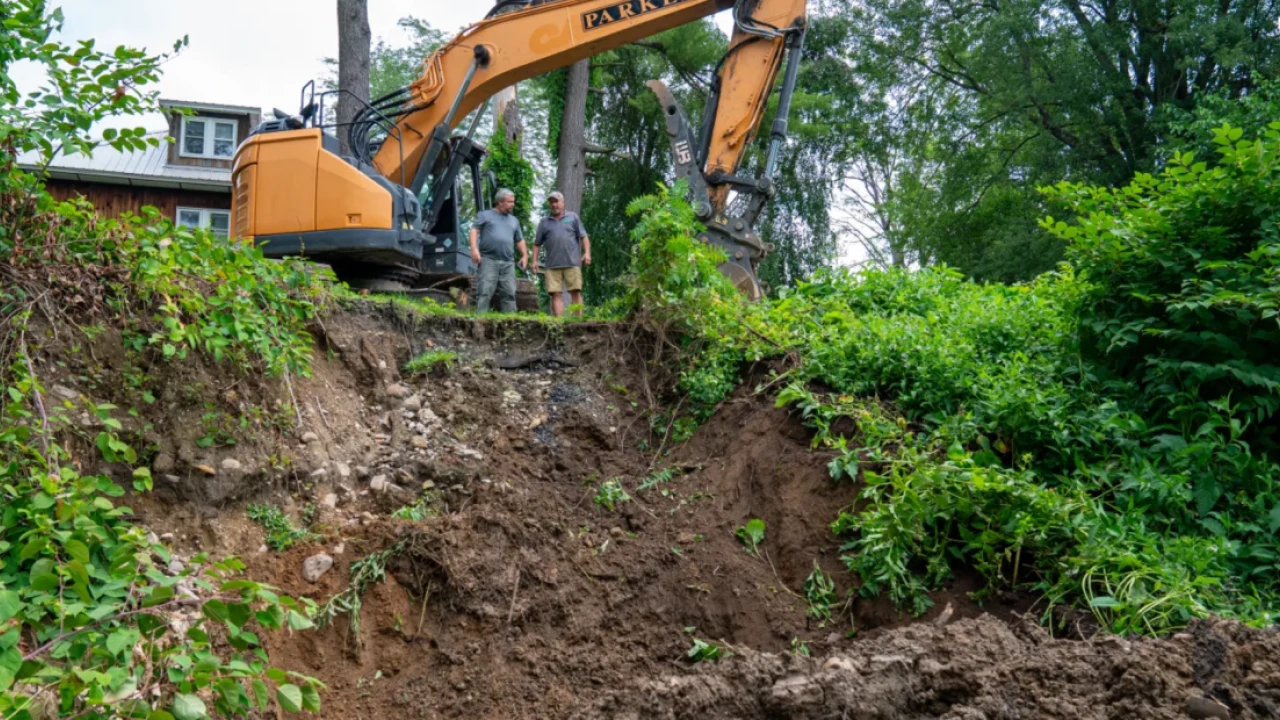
540, 38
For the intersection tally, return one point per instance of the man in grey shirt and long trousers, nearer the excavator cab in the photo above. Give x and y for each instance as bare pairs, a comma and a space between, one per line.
495, 239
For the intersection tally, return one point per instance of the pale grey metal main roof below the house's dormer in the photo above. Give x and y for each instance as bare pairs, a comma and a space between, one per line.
148, 167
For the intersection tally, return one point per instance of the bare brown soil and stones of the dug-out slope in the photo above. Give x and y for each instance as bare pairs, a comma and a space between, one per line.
541, 604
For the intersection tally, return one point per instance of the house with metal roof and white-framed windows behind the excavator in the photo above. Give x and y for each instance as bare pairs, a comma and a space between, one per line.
189, 180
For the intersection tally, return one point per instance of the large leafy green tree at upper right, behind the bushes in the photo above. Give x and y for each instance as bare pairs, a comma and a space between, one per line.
1041, 90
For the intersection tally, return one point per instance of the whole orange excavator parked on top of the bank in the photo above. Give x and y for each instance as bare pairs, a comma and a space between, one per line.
391, 215
